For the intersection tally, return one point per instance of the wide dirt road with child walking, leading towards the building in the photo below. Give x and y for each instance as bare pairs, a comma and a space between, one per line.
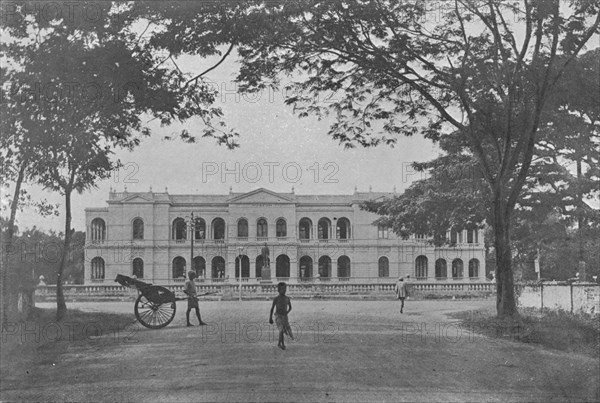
344, 351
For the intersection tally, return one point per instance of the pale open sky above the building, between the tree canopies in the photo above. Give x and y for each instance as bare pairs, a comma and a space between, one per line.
277, 151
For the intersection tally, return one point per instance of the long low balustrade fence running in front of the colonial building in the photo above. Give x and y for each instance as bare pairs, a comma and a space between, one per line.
314, 289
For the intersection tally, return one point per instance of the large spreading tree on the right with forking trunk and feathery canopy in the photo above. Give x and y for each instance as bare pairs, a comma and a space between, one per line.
486, 69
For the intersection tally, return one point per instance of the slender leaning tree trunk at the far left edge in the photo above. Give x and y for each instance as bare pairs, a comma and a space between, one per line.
9, 292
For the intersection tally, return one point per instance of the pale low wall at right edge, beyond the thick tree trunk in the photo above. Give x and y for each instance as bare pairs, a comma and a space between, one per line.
576, 297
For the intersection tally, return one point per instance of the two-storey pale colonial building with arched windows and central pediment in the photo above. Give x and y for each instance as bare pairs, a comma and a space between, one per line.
309, 238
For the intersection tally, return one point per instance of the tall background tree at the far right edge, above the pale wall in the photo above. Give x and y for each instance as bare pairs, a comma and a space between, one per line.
569, 146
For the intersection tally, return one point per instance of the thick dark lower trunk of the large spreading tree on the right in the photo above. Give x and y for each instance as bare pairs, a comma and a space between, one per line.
505, 293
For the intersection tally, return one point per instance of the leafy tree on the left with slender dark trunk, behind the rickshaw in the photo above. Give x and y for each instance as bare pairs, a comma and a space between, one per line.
78, 89
